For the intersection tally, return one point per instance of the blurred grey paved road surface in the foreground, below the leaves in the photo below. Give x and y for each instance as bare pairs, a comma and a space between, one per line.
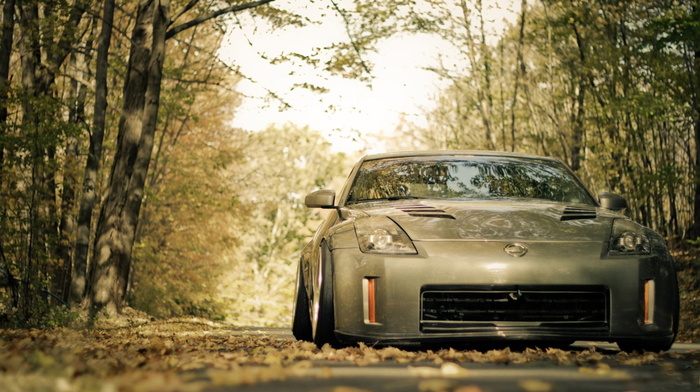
675, 373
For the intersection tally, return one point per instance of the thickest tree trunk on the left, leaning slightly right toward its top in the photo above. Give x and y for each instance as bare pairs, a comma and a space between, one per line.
119, 215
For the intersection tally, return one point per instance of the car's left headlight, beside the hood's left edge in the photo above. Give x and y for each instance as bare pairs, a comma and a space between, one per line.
382, 235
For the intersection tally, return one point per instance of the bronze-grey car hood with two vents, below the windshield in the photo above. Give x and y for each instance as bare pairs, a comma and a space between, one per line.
496, 220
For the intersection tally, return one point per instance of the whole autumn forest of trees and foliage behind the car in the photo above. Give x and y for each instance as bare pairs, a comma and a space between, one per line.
123, 183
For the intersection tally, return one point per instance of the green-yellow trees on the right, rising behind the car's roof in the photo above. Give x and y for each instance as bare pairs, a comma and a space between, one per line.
603, 86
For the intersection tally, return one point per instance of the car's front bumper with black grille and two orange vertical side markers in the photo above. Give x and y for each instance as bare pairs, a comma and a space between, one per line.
393, 311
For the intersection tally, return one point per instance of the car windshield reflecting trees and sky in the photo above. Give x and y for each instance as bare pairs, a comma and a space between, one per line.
466, 178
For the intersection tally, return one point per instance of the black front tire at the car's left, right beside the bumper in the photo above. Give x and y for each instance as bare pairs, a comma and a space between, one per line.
324, 331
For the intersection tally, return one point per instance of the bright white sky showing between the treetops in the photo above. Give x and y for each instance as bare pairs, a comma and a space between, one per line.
352, 113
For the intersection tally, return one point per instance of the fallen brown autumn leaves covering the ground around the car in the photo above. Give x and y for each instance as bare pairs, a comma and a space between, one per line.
194, 354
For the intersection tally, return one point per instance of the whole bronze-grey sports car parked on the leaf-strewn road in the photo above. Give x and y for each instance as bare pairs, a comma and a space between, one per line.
454, 247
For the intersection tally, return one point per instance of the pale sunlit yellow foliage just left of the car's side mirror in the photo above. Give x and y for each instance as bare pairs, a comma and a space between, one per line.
284, 164
